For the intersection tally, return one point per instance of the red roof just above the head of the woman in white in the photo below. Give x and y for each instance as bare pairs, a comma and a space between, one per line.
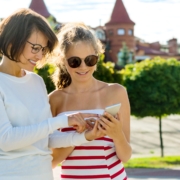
39, 7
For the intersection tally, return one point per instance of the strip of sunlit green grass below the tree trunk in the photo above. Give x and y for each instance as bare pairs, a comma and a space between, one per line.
154, 162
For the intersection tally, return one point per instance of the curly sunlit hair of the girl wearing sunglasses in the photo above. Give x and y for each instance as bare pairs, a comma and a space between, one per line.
70, 34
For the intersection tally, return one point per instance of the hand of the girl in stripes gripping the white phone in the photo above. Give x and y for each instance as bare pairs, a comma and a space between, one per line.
110, 125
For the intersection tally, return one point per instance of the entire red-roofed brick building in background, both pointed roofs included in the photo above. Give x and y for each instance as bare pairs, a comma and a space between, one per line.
119, 31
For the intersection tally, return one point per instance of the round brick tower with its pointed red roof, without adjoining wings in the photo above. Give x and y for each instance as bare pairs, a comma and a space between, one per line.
120, 29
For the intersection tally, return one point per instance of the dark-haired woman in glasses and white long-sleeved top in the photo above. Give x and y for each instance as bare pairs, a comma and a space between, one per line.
27, 128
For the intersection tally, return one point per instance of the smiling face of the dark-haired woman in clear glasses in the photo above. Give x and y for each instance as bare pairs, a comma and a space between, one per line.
28, 59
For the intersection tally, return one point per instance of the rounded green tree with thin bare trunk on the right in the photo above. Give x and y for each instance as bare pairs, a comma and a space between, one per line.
154, 89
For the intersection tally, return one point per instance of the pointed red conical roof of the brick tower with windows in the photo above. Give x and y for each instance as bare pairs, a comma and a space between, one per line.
119, 14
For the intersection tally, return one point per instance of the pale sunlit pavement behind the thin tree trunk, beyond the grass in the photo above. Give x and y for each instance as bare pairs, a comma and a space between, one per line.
145, 136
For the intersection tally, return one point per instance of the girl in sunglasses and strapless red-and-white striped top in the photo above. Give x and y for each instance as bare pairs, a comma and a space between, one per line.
78, 91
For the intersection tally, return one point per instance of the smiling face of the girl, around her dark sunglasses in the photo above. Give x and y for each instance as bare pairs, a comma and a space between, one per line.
83, 72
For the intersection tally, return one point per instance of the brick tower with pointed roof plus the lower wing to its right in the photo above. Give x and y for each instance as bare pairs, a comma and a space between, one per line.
120, 29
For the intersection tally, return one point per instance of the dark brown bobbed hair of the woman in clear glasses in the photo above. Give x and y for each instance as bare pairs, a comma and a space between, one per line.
18, 27
